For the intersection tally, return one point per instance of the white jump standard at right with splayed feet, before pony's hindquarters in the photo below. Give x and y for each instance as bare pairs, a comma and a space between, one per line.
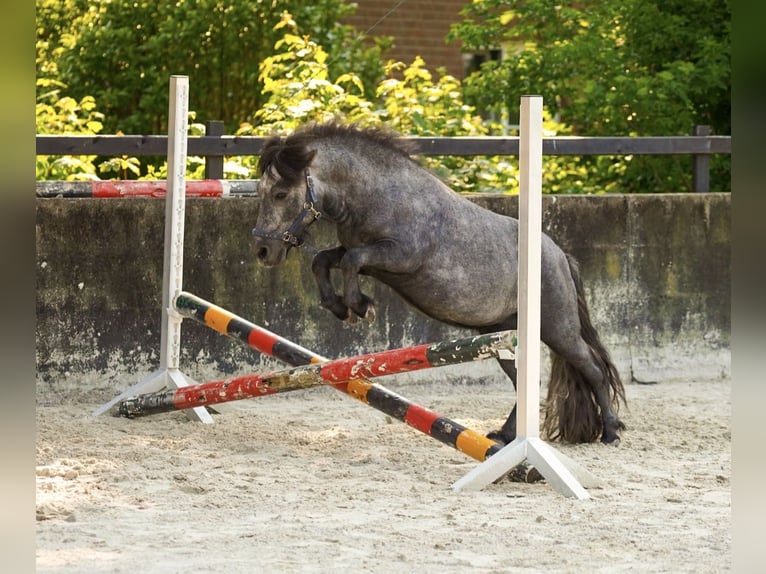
556, 468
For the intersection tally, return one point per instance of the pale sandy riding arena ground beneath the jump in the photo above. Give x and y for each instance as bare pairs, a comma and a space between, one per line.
314, 481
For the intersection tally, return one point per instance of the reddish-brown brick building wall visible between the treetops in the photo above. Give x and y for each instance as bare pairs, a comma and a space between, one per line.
419, 27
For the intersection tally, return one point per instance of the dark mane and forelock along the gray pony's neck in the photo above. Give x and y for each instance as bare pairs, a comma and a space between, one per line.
290, 156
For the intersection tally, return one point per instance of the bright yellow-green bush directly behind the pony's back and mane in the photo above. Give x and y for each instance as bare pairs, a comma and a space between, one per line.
298, 82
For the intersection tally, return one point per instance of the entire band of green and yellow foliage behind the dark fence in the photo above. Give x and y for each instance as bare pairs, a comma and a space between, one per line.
603, 68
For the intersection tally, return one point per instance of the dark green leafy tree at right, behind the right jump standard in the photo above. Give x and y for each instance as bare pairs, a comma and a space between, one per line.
609, 68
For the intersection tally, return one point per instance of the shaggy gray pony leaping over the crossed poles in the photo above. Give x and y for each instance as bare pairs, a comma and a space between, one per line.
443, 254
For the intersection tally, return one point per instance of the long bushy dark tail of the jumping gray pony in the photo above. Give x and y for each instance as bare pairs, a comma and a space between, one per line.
572, 410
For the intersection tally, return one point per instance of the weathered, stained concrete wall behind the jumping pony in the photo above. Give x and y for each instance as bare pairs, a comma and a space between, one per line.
657, 271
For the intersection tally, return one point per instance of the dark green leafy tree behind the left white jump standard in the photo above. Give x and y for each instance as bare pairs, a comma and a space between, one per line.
124, 51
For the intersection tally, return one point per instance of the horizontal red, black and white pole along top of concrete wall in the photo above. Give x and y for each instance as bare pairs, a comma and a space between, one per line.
144, 188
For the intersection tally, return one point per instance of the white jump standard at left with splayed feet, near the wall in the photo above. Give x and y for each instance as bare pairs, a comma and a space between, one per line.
168, 375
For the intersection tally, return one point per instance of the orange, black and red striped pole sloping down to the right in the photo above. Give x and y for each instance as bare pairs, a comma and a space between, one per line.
449, 432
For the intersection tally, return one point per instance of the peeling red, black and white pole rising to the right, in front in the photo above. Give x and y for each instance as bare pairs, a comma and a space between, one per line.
339, 373
